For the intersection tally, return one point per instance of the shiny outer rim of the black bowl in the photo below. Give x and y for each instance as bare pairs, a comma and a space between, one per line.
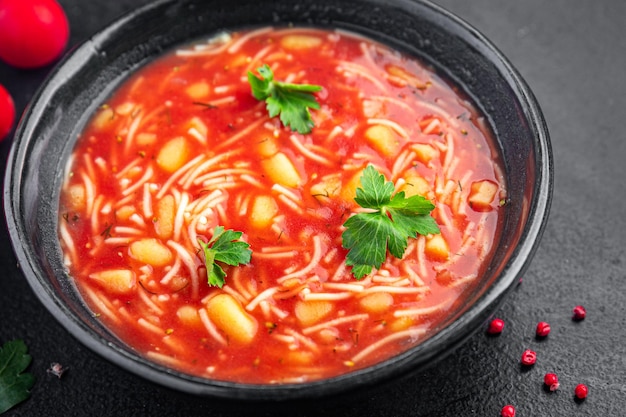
474, 316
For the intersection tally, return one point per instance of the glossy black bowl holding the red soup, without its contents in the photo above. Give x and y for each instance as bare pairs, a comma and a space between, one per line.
61, 107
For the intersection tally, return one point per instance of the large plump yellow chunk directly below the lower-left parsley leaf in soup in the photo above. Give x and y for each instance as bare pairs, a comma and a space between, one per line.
230, 317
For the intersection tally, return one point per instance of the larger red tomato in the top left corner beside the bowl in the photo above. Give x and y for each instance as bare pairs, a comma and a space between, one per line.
33, 33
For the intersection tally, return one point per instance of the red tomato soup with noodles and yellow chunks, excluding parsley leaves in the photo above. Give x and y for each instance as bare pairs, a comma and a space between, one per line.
183, 146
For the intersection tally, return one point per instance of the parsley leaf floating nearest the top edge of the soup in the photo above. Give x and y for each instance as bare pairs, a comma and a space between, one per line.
291, 101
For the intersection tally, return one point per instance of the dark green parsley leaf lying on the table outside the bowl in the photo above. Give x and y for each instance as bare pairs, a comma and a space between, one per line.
14, 384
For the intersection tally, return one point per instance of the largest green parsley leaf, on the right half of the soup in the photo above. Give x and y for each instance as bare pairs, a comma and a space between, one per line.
393, 219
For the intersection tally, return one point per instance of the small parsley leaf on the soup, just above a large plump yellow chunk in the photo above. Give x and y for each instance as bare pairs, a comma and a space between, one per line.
224, 247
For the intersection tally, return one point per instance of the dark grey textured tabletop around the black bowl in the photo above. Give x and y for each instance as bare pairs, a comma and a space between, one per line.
573, 57
